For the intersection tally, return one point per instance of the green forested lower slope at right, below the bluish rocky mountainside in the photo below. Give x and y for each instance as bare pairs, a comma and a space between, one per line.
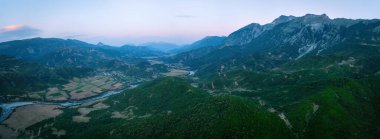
330, 95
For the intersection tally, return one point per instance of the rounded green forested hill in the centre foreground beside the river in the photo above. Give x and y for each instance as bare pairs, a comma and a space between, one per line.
171, 108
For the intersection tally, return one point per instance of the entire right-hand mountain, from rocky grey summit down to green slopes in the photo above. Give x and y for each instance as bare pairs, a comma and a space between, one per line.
318, 74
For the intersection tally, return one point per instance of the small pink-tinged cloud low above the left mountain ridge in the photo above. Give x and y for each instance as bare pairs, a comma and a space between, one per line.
18, 31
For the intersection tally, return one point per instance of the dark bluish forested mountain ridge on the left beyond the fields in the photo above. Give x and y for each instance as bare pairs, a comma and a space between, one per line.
59, 52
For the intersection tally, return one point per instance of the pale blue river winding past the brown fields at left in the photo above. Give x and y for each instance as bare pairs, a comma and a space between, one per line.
7, 108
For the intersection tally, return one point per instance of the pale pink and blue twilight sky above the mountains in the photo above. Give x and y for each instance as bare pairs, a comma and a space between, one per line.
118, 22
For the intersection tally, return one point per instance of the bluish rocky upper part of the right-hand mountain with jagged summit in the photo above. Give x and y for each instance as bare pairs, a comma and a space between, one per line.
284, 40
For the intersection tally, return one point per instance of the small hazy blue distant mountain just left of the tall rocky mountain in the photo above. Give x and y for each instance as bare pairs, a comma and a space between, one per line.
209, 41
